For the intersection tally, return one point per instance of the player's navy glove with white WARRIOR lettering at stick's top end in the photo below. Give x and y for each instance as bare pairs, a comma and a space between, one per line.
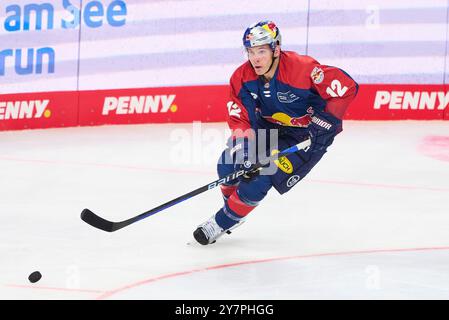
322, 130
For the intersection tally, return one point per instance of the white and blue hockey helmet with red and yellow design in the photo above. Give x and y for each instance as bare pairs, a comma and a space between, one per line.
260, 33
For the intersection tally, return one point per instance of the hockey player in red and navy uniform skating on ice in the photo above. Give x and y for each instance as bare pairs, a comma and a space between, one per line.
283, 91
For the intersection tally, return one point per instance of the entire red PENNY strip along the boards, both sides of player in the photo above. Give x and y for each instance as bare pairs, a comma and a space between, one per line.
199, 103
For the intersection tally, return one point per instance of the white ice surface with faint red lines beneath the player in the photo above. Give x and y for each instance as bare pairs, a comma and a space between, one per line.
371, 221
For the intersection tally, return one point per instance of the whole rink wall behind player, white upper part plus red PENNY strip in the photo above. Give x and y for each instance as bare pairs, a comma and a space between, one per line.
89, 62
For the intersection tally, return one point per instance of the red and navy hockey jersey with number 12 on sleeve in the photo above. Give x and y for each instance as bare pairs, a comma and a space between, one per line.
300, 88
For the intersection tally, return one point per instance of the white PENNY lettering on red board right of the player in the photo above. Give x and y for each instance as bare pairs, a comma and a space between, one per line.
411, 100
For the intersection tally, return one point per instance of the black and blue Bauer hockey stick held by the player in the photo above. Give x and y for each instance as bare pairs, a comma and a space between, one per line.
109, 226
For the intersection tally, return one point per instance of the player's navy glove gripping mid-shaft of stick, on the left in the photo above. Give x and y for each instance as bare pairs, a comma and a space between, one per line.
243, 153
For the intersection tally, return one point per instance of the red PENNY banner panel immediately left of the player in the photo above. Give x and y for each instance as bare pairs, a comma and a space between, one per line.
160, 105
